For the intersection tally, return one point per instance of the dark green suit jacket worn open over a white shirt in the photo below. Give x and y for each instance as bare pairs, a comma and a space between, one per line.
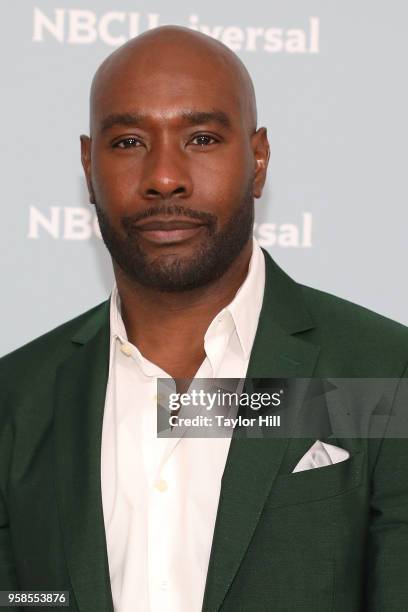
328, 539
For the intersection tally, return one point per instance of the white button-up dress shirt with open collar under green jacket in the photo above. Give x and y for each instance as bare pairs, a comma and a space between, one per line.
160, 496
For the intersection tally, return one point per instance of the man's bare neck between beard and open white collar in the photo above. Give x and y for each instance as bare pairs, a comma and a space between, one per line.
156, 320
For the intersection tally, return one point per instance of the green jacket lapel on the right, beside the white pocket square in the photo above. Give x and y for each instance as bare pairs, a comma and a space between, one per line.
253, 464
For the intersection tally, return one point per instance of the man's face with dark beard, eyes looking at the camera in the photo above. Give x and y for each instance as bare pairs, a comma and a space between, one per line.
173, 172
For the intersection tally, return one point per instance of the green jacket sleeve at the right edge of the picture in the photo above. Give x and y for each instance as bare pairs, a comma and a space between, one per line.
387, 578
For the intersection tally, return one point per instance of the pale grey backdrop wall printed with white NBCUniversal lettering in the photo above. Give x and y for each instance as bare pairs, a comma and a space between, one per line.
331, 82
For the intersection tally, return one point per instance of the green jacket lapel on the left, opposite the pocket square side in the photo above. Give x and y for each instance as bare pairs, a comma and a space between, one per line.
80, 396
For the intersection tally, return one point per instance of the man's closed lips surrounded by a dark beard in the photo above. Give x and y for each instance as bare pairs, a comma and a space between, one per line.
169, 231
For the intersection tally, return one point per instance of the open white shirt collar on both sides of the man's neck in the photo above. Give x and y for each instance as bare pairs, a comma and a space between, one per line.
244, 308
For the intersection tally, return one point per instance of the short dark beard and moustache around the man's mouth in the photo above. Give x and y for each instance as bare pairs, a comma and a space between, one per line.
215, 253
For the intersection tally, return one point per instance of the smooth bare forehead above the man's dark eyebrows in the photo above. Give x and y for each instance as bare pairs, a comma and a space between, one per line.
164, 88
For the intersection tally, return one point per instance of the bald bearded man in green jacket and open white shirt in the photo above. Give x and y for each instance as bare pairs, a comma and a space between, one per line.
90, 500
